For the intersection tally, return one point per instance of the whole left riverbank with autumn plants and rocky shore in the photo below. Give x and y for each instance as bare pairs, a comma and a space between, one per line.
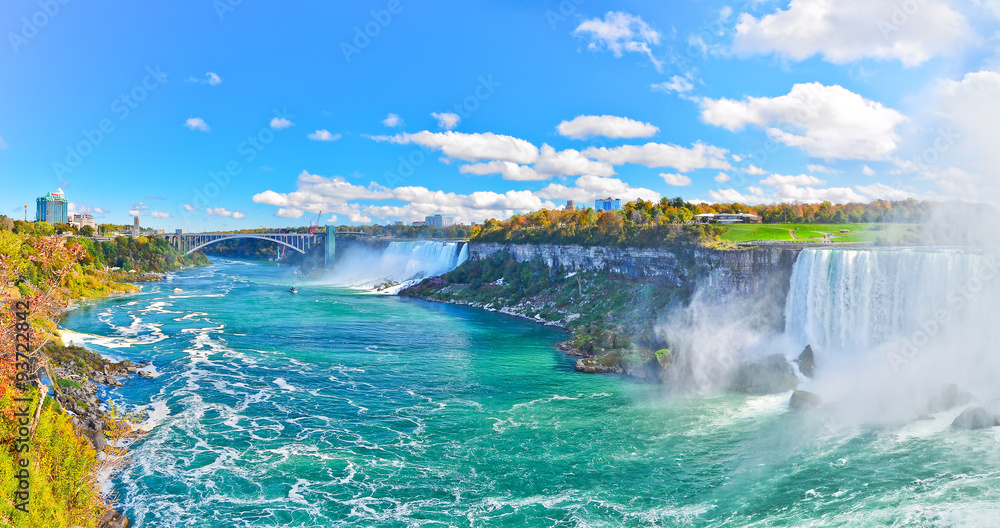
75, 436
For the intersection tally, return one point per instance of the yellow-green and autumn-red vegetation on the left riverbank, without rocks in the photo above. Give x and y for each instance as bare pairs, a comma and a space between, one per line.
48, 273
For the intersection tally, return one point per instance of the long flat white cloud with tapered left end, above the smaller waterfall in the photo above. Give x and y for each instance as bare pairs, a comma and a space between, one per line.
472, 147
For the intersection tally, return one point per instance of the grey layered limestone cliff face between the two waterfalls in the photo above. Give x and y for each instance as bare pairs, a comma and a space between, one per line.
751, 270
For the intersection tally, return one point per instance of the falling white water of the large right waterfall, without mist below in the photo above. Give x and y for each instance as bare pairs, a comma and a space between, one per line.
851, 301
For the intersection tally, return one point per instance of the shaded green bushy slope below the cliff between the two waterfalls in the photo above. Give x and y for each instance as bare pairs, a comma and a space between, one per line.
612, 317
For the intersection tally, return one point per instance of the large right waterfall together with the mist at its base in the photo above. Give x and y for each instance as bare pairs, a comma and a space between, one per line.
893, 327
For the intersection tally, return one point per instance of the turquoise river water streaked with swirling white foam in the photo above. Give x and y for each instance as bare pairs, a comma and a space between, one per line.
335, 407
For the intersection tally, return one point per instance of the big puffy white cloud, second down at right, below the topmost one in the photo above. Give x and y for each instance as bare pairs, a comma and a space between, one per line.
827, 122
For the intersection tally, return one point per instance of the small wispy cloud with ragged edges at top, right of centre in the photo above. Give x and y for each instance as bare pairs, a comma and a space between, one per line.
621, 32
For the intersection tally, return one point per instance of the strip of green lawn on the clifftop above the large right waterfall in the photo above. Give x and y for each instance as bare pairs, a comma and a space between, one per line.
816, 232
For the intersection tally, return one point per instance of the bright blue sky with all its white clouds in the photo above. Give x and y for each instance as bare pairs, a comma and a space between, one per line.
225, 114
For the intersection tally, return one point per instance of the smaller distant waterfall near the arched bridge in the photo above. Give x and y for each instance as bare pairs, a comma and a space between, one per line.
399, 265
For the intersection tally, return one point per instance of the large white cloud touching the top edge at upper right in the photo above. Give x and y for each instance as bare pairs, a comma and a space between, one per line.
843, 31
